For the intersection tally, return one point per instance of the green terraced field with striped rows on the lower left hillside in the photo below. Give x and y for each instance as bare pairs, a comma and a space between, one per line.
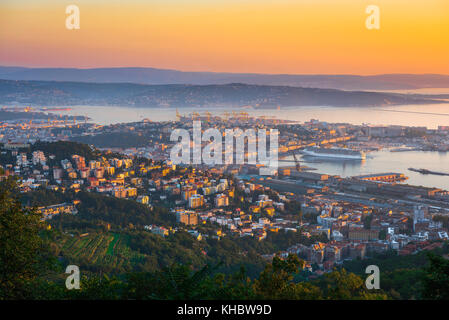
106, 251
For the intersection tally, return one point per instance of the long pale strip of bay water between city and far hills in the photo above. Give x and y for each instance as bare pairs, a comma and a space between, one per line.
434, 116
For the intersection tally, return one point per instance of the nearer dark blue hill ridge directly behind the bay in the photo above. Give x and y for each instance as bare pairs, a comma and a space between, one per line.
54, 93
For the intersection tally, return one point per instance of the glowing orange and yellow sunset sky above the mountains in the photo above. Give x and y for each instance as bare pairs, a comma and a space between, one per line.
277, 36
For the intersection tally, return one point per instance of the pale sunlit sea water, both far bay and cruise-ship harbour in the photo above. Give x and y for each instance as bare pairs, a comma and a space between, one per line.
430, 116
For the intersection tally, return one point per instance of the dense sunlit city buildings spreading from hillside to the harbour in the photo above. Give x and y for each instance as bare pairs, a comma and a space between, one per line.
352, 217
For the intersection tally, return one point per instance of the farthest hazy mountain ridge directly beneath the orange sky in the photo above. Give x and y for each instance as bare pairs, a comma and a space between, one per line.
164, 76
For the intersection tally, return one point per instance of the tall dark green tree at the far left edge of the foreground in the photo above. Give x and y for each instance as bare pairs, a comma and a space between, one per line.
20, 244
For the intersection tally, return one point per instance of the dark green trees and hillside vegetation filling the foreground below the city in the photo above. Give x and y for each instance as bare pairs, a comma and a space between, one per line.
33, 260
